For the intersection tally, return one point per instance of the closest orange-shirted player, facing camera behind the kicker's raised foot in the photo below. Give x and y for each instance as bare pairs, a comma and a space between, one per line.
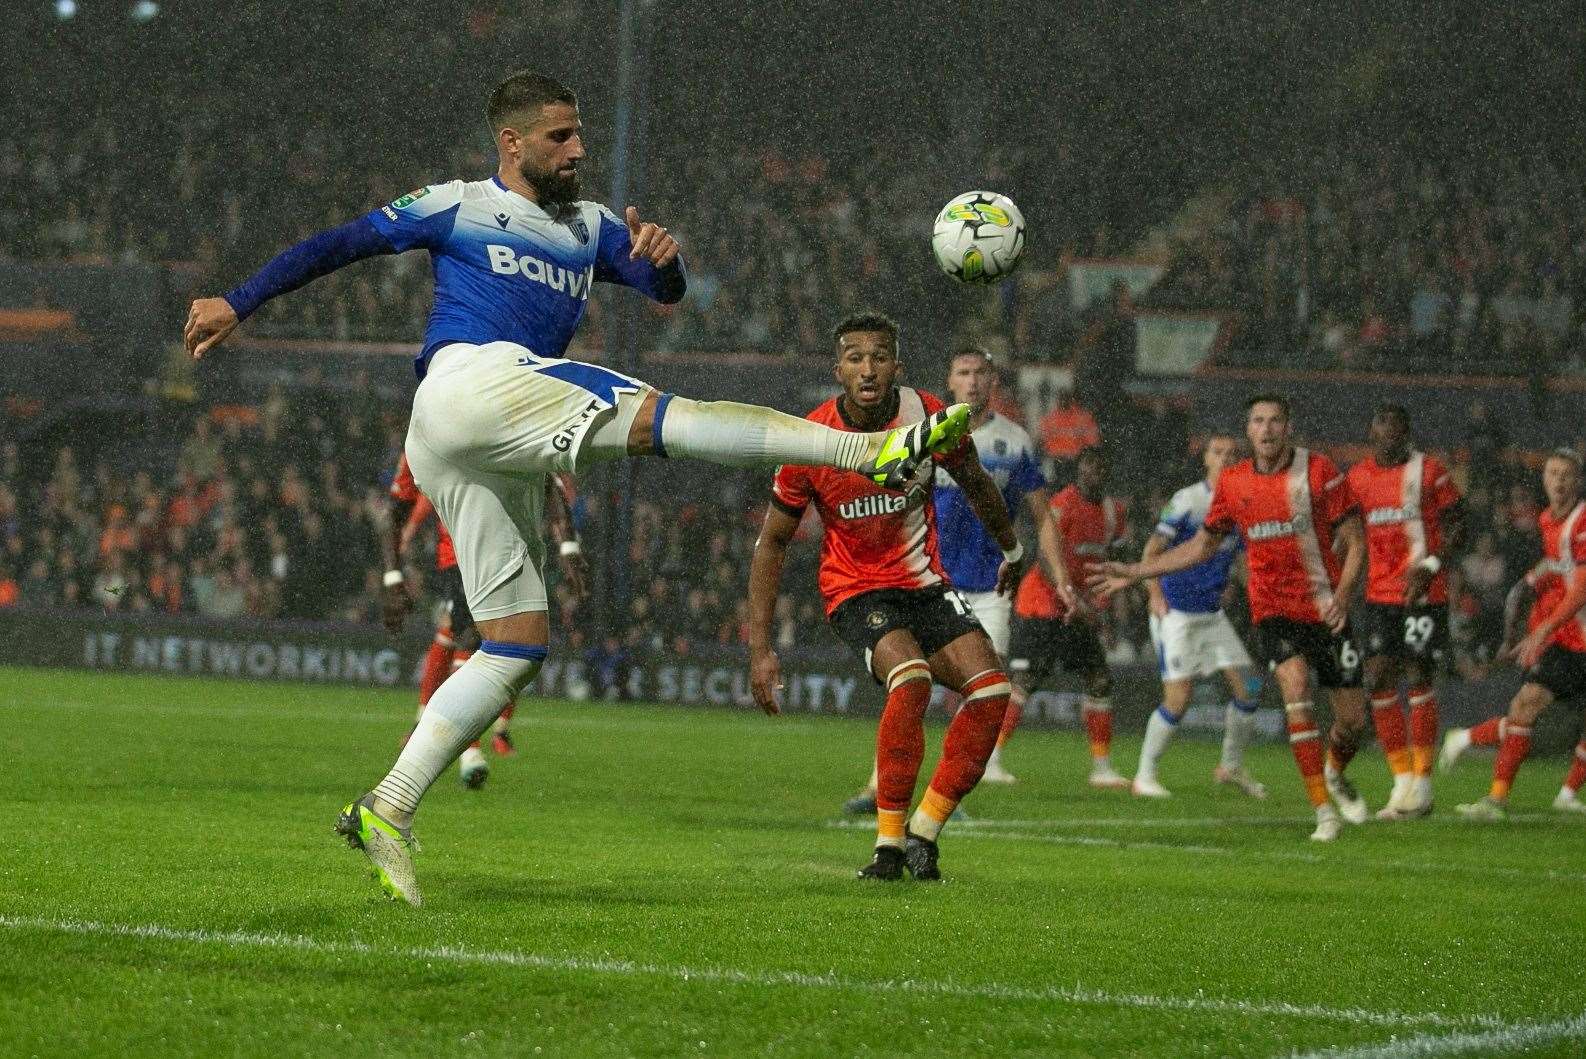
889, 598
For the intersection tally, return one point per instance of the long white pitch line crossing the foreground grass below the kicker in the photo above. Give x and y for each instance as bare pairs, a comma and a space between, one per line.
767, 979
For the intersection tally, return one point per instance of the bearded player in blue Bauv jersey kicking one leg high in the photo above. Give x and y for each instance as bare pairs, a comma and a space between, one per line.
497, 408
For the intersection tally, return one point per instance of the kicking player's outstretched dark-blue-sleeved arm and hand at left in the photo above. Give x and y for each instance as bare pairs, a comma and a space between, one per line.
421, 218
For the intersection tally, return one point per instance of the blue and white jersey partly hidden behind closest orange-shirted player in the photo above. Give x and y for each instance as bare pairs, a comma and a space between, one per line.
968, 551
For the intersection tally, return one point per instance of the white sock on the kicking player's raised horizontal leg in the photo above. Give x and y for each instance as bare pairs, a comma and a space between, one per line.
751, 437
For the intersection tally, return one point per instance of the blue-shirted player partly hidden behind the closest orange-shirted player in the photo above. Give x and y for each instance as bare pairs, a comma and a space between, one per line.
968, 551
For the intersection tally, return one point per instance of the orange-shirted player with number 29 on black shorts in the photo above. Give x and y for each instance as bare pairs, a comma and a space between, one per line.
1414, 516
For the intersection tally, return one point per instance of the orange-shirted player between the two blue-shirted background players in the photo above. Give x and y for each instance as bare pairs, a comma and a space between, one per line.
1054, 621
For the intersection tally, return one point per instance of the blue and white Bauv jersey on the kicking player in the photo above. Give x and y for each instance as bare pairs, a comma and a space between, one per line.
508, 270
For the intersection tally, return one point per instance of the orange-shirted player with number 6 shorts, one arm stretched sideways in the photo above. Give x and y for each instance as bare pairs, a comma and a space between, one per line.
1292, 507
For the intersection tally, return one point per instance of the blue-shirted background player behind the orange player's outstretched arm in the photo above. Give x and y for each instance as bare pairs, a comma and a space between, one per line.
1193, 637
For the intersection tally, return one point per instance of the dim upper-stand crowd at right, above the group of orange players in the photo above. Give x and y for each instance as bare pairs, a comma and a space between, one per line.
1392, 261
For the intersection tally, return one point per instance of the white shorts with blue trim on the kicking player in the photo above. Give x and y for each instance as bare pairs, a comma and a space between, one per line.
489, 424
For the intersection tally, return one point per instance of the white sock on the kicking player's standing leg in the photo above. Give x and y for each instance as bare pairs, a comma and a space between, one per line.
459, 713
